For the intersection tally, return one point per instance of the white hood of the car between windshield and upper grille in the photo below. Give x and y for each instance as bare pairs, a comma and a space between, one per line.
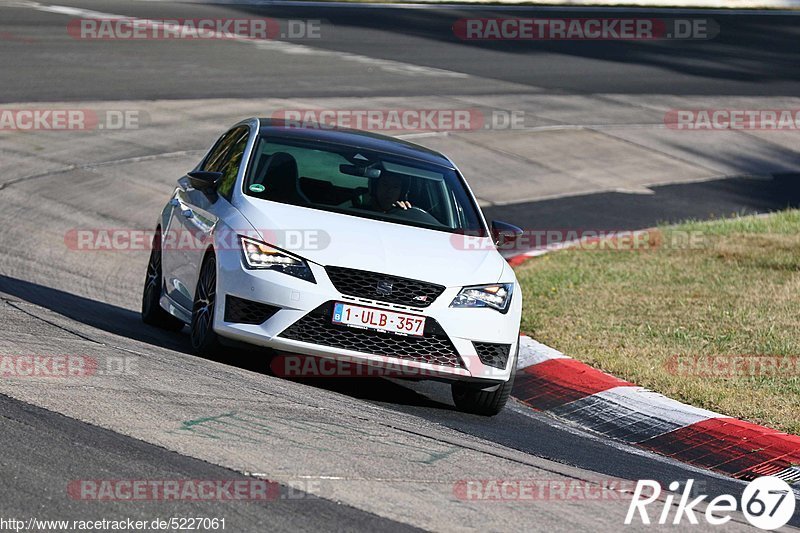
334, 239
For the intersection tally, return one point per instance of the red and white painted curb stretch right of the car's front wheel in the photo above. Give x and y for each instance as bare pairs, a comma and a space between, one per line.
547, 380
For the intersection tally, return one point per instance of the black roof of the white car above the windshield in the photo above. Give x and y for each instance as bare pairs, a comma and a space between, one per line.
356, 139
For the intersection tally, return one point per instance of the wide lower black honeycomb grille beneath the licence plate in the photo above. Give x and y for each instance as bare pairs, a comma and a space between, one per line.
433, 347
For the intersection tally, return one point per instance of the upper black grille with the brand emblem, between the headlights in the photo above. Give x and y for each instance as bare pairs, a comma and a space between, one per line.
383, 287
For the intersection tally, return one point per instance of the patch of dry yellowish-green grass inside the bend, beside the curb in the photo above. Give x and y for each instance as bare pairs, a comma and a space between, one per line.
734, 292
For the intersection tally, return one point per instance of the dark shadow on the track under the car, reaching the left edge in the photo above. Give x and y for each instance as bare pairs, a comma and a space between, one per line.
126, 323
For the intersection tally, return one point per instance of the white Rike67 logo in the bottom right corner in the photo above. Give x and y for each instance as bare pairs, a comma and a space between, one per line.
767, 503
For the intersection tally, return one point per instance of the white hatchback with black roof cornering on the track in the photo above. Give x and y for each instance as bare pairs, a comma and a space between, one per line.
339, 244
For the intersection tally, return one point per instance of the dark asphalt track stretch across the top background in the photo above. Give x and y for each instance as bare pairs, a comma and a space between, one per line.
752, 55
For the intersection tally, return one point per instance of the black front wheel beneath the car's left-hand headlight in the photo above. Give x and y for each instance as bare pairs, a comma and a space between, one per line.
204, 339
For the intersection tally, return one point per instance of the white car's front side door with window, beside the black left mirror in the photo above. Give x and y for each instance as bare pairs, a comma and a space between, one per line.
200, 213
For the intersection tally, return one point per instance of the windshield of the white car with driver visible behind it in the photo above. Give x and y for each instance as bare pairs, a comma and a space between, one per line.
362, 183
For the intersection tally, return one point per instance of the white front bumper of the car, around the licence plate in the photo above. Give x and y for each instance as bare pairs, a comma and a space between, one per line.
302, 325
